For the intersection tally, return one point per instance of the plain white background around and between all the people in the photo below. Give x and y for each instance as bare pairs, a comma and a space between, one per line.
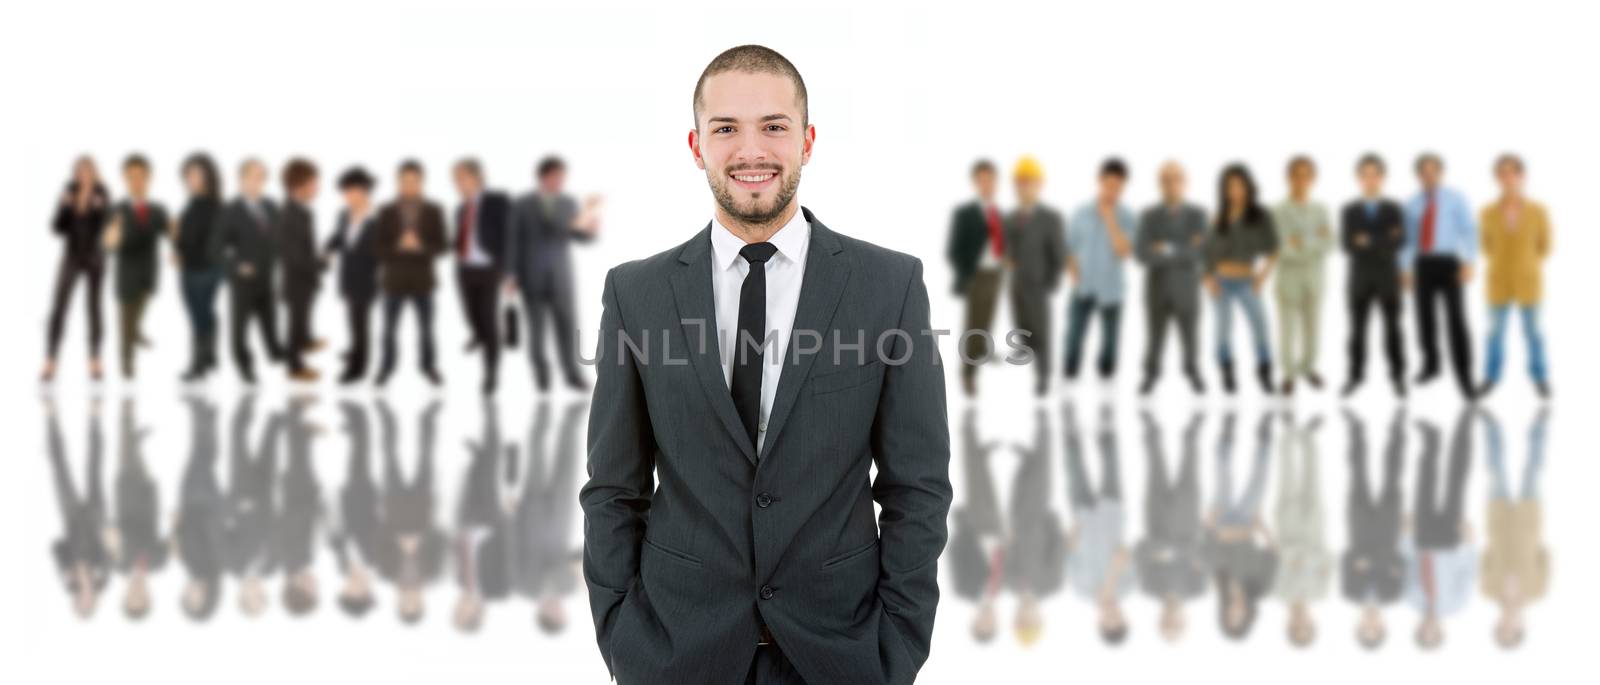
905, 98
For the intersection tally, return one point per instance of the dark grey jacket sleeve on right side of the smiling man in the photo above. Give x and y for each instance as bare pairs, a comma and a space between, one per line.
911, 447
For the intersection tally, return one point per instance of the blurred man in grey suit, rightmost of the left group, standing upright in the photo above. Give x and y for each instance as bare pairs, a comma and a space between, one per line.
545, 225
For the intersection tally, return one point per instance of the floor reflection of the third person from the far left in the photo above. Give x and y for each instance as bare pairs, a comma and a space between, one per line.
202, 529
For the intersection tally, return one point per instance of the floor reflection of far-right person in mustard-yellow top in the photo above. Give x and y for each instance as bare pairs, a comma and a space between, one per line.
1516, 563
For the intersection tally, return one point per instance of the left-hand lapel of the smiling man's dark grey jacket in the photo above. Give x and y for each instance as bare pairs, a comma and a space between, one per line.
698, 319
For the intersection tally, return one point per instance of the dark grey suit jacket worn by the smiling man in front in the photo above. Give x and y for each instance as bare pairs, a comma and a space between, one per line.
692, 539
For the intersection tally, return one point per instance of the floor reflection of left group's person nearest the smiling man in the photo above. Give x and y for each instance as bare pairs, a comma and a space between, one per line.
543, 526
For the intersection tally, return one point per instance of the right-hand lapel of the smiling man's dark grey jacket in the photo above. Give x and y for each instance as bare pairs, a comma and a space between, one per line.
826, 271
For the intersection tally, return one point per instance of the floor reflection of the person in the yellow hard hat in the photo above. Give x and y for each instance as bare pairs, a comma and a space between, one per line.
1036, 548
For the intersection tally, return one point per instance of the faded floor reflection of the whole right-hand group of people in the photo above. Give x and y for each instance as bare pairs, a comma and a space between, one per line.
1420, 551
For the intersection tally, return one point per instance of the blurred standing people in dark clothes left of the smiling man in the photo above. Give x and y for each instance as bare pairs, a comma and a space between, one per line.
270, 255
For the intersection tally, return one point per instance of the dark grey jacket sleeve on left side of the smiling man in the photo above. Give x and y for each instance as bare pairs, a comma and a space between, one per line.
622, 475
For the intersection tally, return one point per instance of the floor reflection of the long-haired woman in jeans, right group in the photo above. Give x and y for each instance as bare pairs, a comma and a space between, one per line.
1239, 547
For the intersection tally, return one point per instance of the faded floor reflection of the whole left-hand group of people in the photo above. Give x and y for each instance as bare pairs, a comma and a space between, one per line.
511, 535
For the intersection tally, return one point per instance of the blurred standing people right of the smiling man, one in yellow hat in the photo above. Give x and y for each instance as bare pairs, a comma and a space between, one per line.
1426, 247
